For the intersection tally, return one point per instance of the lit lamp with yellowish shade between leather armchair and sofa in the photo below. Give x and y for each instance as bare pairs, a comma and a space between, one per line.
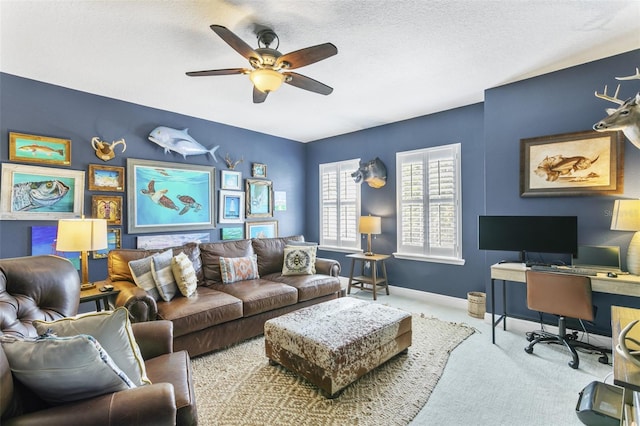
82, 235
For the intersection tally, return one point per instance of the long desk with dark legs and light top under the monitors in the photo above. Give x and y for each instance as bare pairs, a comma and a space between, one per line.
626, 285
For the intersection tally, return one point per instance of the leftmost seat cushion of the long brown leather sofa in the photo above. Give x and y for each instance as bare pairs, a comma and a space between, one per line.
207, 307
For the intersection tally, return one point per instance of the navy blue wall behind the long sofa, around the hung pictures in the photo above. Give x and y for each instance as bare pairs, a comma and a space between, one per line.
37, 108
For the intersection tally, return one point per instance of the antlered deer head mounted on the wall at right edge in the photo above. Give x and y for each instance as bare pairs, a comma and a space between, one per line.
626, 117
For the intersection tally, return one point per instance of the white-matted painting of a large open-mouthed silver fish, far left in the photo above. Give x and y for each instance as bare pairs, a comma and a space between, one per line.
40, 193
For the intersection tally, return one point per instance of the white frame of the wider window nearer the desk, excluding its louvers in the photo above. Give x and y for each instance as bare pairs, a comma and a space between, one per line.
423, 253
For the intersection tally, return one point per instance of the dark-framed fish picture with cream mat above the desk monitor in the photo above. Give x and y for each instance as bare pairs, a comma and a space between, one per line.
570, 164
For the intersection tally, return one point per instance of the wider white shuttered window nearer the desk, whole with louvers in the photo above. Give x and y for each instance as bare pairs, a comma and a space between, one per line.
428, 204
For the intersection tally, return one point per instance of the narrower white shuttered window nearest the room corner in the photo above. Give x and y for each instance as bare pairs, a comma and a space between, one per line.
339, 205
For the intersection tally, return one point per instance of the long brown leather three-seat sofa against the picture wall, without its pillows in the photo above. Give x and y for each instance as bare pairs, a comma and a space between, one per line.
220, 315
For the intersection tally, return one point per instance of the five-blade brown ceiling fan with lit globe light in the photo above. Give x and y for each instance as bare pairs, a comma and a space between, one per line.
270, 67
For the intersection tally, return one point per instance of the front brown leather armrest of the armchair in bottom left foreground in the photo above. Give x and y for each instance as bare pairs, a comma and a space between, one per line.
145, 405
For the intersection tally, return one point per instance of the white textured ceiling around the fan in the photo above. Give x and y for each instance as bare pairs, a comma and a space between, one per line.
396, 59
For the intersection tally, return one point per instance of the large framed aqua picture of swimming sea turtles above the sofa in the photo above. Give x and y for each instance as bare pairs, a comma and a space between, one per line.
164, 197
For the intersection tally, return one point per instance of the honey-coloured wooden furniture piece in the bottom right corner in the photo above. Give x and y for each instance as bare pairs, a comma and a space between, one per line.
626, 374
